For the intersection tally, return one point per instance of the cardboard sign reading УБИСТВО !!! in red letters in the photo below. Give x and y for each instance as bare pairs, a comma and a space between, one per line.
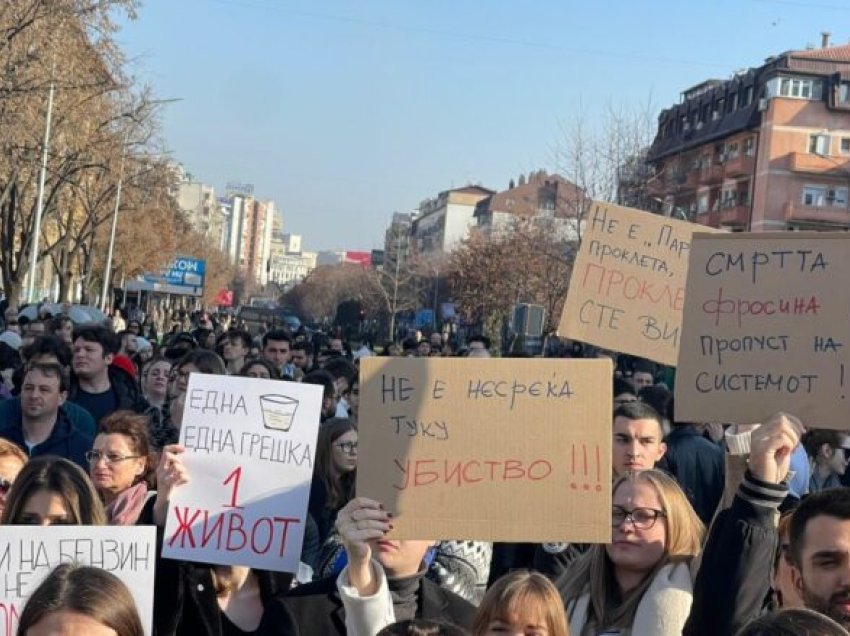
491, 450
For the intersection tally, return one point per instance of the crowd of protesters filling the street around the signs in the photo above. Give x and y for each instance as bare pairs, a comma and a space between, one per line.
716, 529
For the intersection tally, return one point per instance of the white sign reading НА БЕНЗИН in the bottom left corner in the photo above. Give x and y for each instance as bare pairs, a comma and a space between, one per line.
29, 553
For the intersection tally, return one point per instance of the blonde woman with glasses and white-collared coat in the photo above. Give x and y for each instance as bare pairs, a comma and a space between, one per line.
640, 583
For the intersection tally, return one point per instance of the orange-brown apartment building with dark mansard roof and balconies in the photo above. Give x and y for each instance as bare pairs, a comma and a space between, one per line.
767, 150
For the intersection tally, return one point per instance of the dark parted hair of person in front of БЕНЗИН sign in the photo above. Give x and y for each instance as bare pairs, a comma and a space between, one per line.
85, 590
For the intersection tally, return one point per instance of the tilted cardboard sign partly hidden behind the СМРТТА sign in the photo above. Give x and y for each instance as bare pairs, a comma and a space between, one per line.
627, 287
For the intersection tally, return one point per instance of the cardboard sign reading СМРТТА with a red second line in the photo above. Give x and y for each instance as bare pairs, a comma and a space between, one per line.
766, 329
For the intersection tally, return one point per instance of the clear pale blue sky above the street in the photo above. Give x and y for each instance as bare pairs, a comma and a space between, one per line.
344, 111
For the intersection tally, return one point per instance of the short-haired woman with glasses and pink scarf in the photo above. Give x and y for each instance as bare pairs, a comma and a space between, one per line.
120, 466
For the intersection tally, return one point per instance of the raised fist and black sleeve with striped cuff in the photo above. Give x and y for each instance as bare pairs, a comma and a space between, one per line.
733, 581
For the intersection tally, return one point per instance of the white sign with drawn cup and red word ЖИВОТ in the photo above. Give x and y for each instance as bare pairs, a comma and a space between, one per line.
250, 447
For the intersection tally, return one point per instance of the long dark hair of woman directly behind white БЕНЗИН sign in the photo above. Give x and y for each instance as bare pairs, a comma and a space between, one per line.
62, 477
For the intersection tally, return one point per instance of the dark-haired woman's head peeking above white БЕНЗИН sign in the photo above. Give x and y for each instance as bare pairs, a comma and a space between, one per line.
53, 491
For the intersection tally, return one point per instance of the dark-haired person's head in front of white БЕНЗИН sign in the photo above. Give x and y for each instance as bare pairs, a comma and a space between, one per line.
76, 599
